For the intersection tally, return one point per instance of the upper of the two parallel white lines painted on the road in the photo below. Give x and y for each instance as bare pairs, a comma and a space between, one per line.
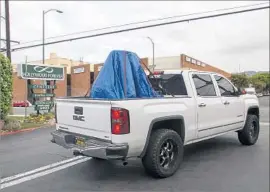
40, 169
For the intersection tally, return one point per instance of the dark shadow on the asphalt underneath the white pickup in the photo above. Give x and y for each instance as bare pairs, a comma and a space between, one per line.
195, 154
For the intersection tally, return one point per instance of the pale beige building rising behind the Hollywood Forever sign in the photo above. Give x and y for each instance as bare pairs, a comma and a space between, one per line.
55, 60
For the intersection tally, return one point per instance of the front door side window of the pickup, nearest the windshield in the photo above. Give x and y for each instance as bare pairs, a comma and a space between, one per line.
225, 87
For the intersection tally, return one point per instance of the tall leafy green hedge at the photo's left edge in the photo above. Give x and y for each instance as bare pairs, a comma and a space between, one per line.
5, 86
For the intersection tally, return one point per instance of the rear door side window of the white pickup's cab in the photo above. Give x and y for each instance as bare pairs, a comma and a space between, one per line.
204, 85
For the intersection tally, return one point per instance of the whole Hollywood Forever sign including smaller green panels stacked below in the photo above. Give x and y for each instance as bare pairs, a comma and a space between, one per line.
41, 72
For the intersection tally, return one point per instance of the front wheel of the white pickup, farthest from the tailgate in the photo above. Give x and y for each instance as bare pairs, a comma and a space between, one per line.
250, 133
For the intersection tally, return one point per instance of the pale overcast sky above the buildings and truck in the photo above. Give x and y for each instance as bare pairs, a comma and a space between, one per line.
225, 42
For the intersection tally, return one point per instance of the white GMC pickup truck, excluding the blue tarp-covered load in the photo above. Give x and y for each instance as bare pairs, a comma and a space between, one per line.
196, 106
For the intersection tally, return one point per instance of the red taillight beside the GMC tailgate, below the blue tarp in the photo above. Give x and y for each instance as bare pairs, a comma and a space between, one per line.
120, 121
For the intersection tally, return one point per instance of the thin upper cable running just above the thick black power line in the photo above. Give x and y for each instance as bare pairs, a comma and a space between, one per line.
145, 21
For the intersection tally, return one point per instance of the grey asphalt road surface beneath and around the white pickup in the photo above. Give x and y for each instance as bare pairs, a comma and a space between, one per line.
217, 165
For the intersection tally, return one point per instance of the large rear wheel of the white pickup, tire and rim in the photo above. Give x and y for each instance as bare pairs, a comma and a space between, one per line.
164, 153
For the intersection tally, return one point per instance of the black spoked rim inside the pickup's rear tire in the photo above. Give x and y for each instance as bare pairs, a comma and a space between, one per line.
168, 154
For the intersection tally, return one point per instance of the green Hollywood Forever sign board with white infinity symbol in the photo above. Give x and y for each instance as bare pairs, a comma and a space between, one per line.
42, 72
